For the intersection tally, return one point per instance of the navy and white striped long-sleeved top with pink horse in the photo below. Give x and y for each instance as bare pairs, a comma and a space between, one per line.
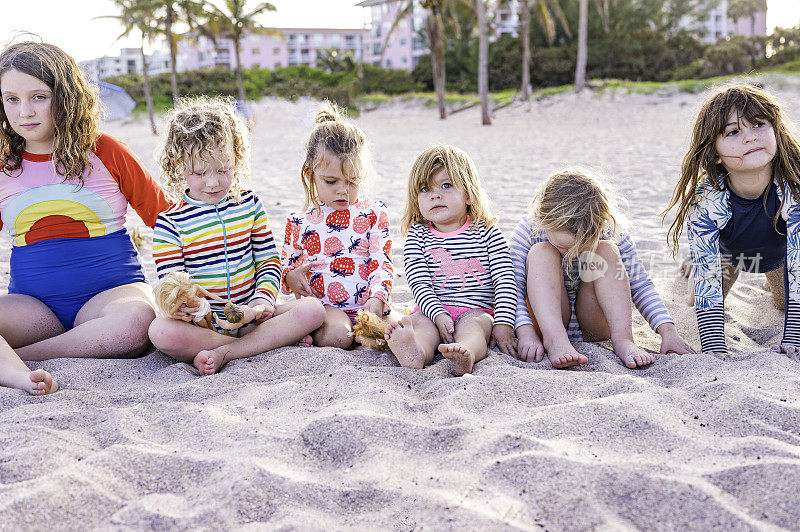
470, 267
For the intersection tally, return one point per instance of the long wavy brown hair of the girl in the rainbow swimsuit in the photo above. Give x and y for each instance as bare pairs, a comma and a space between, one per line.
74, 108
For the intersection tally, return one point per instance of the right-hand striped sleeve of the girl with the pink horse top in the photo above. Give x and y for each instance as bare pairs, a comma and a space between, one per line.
502, 271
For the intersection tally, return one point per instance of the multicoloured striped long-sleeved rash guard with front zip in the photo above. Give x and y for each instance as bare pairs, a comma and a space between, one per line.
227, 248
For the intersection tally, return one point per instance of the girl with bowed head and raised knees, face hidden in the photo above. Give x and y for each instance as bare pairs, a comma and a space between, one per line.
578, 273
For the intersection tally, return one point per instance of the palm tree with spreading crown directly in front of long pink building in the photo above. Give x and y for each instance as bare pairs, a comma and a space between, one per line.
233, 23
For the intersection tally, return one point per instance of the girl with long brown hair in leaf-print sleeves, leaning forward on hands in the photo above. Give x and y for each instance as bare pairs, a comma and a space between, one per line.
738, 196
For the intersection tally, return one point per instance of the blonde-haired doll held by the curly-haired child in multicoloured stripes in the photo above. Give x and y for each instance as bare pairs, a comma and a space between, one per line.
176, 289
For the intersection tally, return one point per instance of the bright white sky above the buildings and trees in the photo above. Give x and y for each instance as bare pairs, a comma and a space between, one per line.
85, 37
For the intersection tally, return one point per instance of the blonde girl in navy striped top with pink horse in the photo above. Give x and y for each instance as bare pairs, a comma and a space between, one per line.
457, 264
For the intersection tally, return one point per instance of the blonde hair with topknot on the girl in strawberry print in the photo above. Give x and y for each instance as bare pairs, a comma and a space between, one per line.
339, 137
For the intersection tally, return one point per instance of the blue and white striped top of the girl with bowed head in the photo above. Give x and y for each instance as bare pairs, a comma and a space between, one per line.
644, 293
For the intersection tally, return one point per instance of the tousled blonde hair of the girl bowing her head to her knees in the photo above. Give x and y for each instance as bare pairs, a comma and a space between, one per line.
579, 202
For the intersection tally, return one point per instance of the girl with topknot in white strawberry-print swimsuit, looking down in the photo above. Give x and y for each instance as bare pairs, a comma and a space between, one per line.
339, 250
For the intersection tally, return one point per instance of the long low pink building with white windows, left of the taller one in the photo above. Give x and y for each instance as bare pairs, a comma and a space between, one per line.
294, 46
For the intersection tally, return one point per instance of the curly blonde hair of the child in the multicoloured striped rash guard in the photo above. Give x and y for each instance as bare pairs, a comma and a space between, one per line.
198, 126
